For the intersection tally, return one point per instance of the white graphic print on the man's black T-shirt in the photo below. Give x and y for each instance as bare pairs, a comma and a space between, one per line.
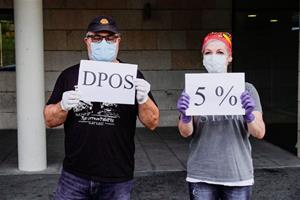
98, 114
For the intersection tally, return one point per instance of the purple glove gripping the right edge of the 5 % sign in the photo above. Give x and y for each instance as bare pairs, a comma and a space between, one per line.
248, 104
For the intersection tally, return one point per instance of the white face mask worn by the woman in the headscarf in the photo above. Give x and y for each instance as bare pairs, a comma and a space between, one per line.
215, 63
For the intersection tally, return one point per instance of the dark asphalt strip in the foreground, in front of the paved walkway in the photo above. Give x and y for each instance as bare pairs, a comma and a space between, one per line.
270, 184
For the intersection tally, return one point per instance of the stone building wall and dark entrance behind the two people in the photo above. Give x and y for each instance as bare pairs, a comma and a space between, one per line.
164, 38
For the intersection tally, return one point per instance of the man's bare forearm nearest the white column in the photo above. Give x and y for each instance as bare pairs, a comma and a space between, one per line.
54, 115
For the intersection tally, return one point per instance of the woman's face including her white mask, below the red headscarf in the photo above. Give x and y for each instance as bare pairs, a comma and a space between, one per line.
215, 57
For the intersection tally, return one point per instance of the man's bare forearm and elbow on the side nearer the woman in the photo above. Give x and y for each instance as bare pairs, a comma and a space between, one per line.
149, 114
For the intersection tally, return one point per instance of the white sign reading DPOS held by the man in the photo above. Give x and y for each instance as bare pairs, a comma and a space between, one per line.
107, 82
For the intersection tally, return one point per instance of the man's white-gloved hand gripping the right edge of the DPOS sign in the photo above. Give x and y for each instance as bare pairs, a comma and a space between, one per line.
142, 89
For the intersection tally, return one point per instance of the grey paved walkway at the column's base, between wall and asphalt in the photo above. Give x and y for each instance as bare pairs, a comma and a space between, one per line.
152, 149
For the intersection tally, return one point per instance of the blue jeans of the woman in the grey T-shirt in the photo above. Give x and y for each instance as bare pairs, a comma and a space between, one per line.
204, 191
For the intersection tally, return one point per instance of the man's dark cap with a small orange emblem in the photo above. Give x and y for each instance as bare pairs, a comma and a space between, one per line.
103, 23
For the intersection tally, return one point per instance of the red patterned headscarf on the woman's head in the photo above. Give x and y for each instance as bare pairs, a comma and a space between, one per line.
221, 36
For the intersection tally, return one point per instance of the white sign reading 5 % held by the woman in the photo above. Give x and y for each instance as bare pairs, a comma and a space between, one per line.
215, 94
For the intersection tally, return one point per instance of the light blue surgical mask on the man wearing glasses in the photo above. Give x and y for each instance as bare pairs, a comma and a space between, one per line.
103, 51
